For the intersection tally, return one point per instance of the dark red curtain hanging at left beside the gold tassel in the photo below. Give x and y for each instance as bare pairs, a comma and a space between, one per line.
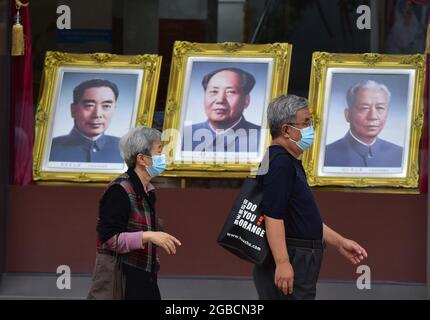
22, 111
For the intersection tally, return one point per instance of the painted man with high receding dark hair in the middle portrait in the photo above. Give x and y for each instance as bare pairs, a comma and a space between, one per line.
226, 96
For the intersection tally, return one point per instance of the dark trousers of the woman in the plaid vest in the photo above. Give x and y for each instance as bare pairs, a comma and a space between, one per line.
140, 285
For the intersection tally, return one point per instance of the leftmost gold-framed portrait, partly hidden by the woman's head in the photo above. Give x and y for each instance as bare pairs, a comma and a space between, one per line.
87, 102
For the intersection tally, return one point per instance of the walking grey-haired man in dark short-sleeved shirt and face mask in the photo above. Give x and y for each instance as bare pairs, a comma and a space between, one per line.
294, 228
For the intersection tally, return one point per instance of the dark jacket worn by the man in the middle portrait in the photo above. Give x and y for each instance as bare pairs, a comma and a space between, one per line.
243, 137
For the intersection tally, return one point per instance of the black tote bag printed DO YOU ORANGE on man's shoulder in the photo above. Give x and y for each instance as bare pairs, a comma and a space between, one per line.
244, 233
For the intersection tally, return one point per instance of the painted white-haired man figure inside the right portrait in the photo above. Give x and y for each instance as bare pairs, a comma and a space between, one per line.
367, 112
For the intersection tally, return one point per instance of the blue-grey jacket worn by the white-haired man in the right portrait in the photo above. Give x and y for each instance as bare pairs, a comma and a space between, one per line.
348, 152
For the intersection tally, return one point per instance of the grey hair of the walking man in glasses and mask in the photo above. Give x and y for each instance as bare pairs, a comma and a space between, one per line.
284, 110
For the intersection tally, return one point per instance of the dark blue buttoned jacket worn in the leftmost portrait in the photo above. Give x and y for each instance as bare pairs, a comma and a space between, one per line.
75, 147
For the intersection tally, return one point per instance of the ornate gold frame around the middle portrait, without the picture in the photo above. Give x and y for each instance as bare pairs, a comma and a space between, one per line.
182, 51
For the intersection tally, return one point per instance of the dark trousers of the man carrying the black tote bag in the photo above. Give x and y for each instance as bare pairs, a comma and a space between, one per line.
306, 263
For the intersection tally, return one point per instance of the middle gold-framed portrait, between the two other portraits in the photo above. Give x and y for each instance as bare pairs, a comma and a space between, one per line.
215, 120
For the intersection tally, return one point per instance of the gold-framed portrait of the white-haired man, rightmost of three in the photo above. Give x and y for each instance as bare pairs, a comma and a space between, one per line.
368, 117
